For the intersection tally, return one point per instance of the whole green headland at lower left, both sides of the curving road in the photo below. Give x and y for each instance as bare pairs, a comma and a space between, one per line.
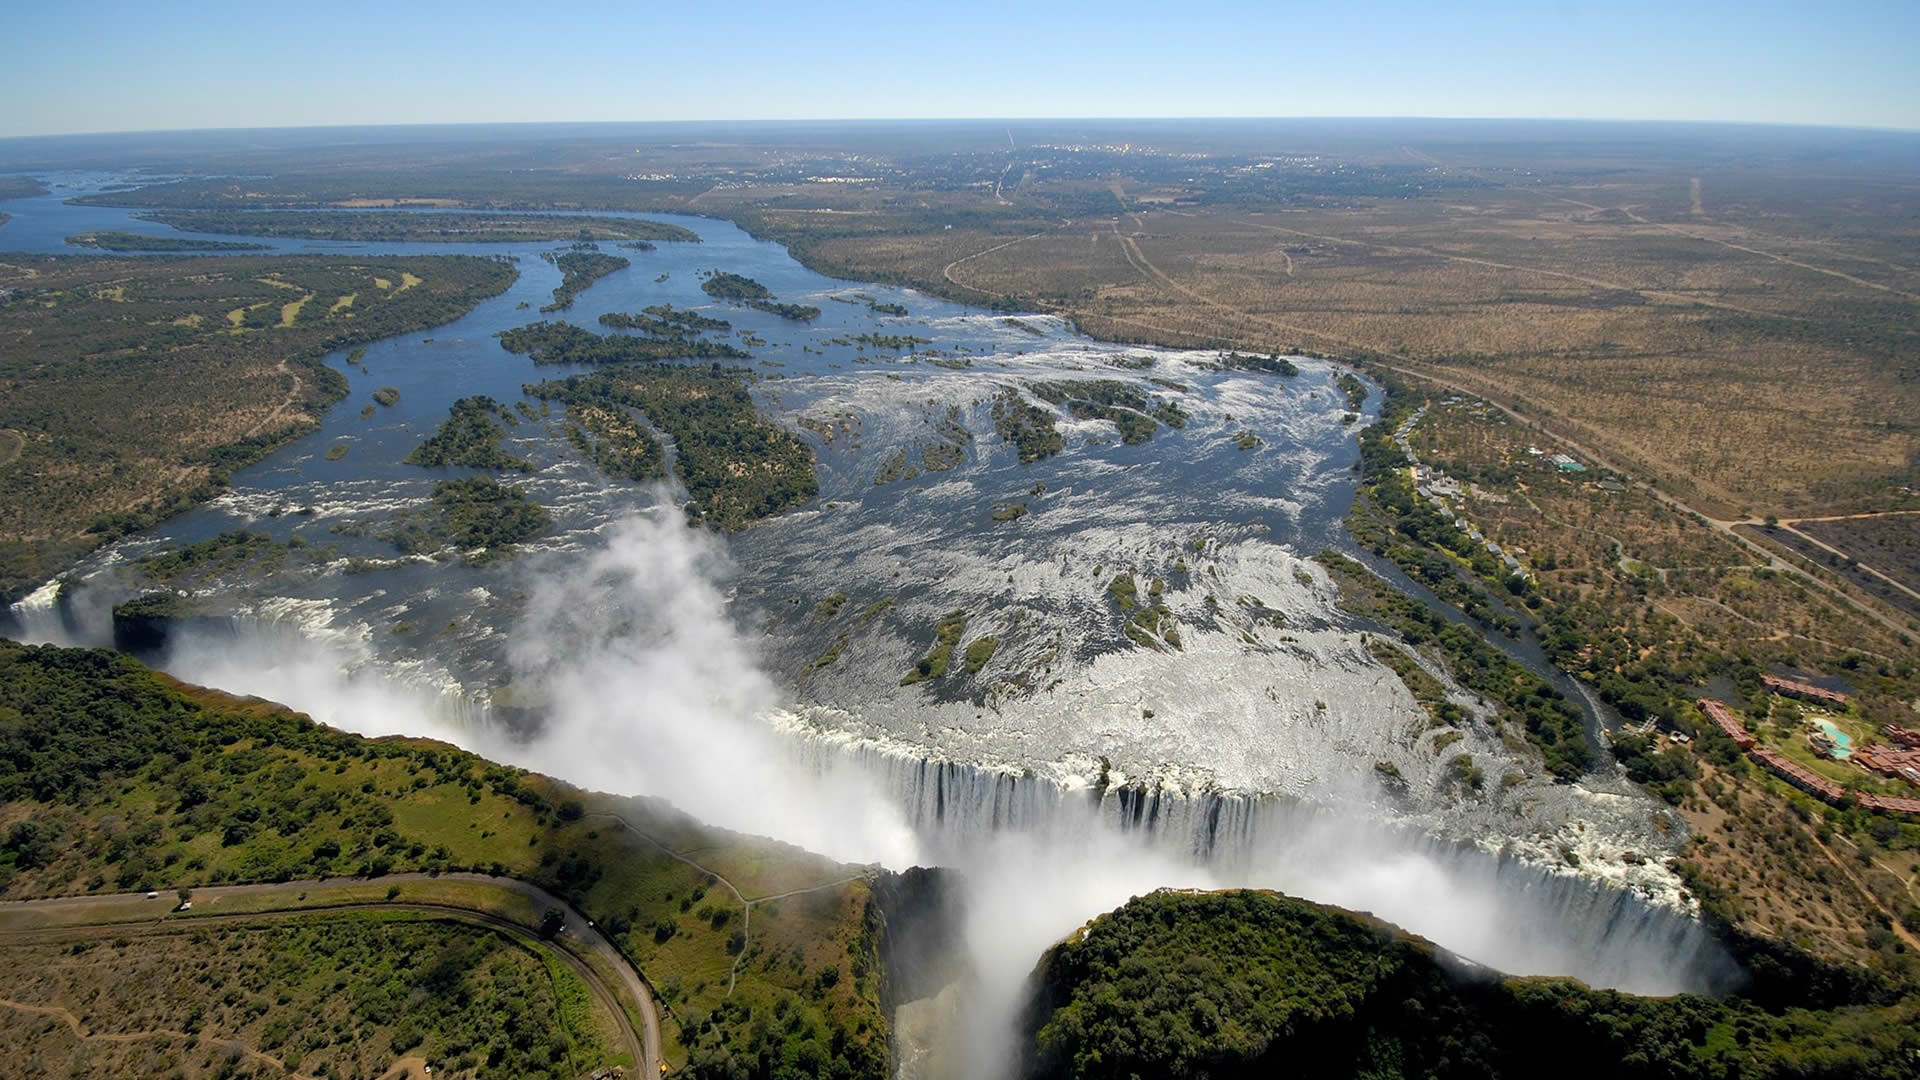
116, 779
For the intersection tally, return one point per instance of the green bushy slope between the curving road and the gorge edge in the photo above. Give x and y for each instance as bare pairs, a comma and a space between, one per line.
122, 779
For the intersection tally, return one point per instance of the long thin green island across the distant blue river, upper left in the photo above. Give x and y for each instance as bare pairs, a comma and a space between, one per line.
408, 228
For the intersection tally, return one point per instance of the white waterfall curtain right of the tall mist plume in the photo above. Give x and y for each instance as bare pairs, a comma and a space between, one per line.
1489, 906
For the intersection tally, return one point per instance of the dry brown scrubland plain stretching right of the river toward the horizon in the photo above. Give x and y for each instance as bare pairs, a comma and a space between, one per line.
1758, 358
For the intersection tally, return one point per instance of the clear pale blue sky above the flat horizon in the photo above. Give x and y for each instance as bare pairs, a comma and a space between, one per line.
114, 66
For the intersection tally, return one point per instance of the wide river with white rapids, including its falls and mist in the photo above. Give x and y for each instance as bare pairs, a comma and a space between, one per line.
1247, 754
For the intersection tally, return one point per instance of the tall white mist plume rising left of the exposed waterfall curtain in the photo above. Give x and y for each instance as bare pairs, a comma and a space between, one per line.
650, 689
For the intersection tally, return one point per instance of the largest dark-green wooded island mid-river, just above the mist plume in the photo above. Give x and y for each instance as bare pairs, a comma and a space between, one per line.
736, 466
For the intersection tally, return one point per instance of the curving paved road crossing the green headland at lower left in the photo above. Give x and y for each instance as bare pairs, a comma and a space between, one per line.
16, 923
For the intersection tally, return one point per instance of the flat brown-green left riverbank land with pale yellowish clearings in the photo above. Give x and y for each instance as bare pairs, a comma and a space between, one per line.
155, 378
